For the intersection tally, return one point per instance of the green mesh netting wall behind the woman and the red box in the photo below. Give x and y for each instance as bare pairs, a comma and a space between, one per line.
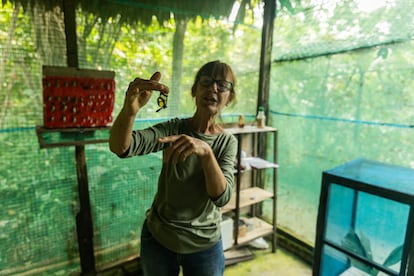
38, 187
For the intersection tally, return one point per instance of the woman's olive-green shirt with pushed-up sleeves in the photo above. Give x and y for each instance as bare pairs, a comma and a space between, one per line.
183, 217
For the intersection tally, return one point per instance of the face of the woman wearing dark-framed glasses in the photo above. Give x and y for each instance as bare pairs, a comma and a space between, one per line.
213, 93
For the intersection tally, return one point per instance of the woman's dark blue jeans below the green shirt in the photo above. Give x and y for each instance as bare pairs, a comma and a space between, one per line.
156, 260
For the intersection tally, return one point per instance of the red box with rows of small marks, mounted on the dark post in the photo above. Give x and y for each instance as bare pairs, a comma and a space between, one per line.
77, 101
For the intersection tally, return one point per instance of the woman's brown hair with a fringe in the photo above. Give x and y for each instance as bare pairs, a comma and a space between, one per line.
214, 69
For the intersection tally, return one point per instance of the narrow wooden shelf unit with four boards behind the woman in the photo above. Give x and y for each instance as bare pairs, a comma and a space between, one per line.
250, 138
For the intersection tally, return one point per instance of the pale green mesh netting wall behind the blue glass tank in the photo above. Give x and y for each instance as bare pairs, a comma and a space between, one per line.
342, 90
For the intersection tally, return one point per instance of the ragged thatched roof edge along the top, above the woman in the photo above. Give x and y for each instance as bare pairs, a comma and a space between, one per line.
141, 10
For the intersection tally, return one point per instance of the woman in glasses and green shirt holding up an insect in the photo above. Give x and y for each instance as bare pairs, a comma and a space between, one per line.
182, 227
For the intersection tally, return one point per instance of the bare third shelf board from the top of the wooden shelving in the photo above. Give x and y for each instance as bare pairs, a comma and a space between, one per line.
248, 196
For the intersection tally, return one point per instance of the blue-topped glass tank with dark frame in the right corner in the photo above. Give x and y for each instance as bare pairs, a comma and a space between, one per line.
365, 220
